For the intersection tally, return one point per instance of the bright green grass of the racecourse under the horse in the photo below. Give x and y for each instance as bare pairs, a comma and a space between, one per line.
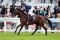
28, 36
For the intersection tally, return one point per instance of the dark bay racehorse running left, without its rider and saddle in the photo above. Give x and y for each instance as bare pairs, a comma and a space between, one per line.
39, 21
